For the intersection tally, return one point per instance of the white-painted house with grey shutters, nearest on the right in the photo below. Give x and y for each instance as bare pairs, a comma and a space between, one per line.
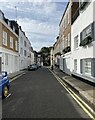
82, 31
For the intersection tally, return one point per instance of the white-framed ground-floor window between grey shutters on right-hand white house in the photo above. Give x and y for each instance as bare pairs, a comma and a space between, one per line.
87, 66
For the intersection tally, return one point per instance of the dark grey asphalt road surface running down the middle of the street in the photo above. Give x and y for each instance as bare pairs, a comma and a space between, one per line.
37, 94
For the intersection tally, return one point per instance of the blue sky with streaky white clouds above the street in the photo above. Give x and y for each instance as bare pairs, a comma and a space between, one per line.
39, 19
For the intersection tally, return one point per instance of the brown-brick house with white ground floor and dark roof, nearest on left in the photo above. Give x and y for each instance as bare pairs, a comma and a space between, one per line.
9, 58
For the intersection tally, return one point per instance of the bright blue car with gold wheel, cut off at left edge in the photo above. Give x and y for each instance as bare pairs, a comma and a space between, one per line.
4, 84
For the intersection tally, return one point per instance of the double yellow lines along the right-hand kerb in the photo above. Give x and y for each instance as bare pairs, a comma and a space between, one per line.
82, 104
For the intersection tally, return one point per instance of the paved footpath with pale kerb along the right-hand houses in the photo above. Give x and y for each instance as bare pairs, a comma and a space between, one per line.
86, 90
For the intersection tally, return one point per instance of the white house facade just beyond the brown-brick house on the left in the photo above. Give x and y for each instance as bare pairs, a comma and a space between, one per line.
24, 50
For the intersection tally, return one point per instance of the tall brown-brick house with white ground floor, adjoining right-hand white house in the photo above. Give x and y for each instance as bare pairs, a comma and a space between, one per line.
65, 39
